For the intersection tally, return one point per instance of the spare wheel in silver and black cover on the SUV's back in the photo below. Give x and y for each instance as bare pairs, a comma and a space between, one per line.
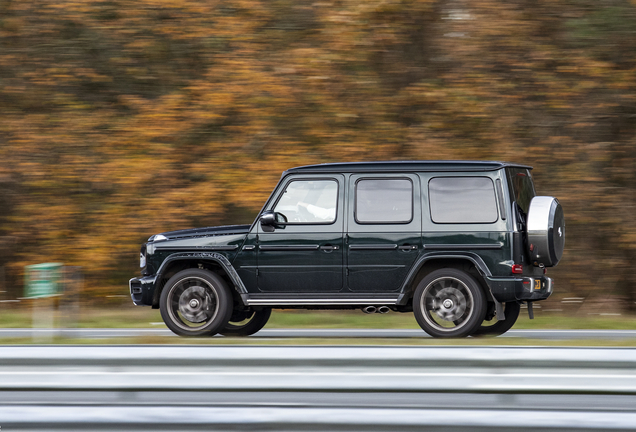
546, 231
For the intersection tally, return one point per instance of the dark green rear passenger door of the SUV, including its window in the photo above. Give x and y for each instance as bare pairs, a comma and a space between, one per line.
384, 230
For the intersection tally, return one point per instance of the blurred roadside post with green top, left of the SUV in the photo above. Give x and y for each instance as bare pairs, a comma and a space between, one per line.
41, 284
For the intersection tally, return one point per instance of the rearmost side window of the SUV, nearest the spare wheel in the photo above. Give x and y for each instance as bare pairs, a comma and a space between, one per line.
462, 200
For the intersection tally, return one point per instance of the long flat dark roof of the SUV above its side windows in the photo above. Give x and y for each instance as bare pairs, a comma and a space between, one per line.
400, 166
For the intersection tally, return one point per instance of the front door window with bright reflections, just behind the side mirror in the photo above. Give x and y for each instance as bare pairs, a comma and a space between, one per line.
309, 201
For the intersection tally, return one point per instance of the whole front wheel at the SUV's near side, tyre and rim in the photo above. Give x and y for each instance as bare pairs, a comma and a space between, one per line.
195, 302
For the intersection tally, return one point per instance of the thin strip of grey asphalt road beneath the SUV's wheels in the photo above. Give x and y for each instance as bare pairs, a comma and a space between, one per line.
320, 333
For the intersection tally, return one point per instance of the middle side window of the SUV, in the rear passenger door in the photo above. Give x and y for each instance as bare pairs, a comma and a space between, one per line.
384, 201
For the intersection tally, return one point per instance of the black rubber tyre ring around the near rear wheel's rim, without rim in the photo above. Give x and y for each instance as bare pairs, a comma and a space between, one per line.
478, 310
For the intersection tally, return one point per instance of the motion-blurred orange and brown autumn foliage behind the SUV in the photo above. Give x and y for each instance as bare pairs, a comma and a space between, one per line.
121, 119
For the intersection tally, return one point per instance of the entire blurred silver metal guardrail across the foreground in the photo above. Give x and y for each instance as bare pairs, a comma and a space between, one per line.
316, 388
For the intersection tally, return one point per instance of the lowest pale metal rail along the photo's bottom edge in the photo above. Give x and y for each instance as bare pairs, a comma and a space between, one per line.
314, 419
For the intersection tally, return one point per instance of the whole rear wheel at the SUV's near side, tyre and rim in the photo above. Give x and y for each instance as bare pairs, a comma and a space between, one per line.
449, 303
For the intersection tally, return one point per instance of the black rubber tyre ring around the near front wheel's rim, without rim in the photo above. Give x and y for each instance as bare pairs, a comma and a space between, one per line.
219, 289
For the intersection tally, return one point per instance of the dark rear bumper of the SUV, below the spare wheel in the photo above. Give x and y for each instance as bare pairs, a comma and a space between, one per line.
520, 288
